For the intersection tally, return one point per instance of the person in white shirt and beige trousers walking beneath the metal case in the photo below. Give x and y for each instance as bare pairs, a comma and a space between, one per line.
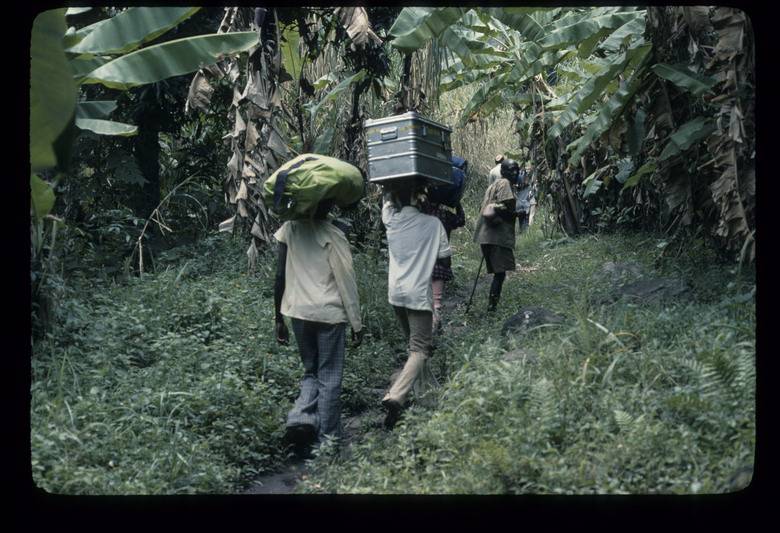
415, 240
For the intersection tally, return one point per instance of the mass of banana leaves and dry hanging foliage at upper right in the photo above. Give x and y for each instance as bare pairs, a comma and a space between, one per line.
608, 70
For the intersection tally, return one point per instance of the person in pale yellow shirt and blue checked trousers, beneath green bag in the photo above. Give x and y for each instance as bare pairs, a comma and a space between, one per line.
316, 288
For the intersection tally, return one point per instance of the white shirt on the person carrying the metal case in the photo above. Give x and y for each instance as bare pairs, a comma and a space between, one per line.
415, 241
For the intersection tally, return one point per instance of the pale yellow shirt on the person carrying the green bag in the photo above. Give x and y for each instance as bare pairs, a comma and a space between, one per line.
320, 281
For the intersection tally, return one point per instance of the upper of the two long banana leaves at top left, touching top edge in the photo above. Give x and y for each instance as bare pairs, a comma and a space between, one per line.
130, 29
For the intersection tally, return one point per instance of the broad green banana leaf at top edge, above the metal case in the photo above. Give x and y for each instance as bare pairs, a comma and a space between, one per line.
415, 26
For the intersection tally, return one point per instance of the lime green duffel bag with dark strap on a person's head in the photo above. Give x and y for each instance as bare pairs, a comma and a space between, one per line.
295, 189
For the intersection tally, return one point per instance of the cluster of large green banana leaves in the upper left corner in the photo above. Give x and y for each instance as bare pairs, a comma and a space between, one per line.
111, 52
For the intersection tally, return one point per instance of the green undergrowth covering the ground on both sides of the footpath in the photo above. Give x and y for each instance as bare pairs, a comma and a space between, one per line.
173, 383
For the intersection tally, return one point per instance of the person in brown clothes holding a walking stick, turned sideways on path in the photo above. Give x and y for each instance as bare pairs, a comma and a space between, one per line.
495, 231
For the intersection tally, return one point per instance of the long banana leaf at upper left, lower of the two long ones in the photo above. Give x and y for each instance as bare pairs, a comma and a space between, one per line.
174, 58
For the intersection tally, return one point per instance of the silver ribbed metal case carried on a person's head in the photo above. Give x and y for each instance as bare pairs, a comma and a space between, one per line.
406, 145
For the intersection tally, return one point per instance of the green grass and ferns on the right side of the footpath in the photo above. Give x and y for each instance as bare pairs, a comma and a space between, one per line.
622, 398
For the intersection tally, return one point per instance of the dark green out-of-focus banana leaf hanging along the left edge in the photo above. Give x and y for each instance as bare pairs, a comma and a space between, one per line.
52, 91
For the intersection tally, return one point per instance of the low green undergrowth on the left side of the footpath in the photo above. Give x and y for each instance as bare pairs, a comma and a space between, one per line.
173, 383
